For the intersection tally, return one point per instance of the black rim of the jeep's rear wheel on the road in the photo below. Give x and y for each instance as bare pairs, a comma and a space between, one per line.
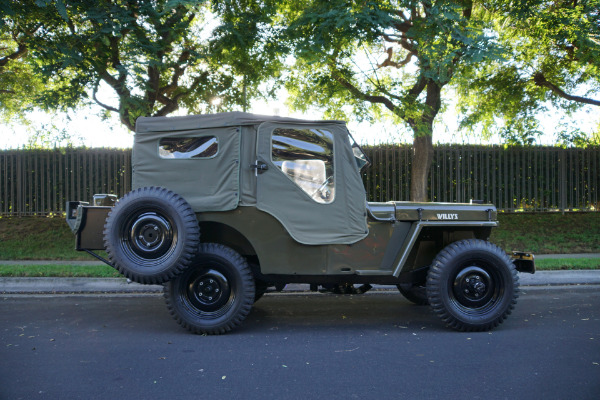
208, 292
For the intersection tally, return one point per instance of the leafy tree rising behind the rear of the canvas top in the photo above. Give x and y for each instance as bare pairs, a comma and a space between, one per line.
154, 57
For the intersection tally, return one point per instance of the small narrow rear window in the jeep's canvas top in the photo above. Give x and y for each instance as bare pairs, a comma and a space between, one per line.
194, 147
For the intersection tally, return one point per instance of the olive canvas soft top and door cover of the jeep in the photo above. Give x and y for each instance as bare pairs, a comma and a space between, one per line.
226, 180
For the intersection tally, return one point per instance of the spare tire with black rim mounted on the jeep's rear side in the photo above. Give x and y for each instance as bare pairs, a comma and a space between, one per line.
151, 235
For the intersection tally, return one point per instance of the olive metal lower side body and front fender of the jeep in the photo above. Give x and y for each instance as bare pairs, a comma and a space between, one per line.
390, 248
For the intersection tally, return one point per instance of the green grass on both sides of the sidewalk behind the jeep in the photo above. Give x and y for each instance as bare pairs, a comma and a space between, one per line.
37, 238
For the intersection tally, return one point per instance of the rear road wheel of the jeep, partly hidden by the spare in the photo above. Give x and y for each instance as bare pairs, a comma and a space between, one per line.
215, 294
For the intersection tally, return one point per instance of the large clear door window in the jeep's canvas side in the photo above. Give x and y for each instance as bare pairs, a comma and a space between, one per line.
306, 157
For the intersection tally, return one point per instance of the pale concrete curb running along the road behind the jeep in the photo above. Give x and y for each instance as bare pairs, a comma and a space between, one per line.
120, 285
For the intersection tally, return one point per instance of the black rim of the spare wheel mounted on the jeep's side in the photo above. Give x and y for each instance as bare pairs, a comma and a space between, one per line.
148, 235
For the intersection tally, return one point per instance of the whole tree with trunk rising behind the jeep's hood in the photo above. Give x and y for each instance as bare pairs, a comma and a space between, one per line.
411, 49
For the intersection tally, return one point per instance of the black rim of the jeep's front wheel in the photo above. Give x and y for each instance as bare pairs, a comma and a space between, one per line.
476, 288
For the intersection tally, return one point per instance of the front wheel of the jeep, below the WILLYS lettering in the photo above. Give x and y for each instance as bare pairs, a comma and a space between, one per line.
472, 285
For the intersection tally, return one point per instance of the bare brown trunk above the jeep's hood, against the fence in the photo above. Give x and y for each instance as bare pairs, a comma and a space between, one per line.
421, 163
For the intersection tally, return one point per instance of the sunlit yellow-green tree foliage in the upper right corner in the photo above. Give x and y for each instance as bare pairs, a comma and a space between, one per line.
552, 59
